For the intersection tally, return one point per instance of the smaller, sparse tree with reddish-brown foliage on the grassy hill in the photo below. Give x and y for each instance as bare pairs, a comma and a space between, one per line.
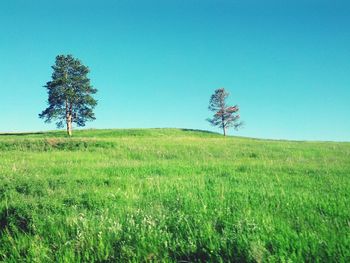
224, 116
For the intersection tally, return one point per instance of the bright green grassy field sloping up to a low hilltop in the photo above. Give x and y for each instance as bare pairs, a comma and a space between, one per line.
172, 195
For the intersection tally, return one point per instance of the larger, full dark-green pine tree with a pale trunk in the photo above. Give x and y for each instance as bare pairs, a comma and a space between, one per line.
69, 94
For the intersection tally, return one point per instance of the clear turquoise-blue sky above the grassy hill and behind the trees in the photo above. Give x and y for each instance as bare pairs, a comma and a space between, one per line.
156, 62
